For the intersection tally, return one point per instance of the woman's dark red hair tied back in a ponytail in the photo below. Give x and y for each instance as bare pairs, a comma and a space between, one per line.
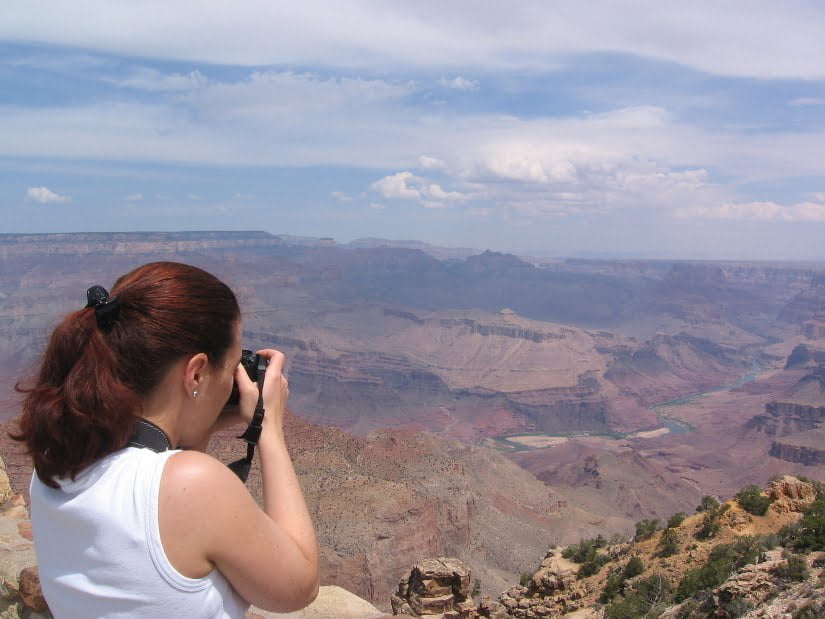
88, 392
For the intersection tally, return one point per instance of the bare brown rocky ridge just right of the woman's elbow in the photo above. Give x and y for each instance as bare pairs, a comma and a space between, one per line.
382, 502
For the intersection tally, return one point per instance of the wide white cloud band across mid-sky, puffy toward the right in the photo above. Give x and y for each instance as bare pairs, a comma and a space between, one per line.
639, 156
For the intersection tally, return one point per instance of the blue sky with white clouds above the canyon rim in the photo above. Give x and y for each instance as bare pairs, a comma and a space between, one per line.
647, 129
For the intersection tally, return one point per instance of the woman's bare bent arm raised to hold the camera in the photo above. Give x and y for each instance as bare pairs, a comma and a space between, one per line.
269, 556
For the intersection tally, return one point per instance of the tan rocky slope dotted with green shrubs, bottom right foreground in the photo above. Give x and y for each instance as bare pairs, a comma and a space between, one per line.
645, 578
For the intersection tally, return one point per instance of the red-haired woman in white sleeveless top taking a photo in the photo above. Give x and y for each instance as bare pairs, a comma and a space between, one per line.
122, 531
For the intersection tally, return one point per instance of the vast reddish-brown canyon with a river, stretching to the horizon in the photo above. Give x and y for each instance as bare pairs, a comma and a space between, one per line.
451, 402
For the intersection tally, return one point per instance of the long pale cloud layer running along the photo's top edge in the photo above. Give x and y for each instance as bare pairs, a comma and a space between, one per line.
727, 38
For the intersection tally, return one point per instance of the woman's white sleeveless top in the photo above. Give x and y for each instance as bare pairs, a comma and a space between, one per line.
99, 551
